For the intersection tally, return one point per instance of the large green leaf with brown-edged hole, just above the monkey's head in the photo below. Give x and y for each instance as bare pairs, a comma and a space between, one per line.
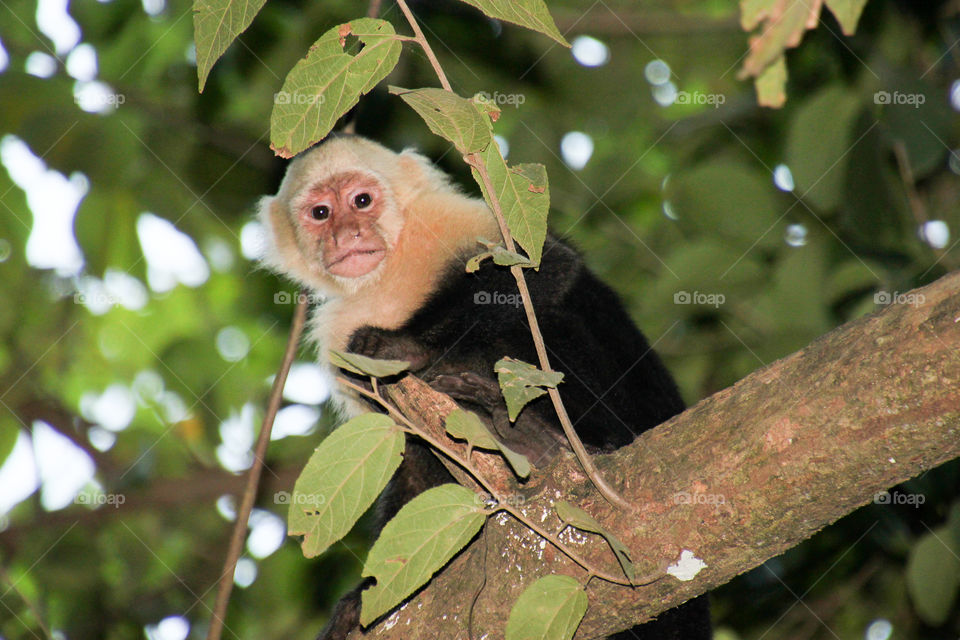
328, 82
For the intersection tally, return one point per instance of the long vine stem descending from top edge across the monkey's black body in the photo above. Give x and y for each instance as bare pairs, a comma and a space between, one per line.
475, 161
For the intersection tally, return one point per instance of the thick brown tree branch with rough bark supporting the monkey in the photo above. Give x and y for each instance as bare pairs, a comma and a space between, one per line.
737, 479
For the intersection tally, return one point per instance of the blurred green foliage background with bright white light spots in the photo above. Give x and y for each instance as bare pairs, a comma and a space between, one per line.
139, 338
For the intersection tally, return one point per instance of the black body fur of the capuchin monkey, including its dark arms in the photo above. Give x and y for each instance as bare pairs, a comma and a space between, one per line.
615, 387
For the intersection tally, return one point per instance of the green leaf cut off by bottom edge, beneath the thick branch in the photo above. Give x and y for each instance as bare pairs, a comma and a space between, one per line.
549, 609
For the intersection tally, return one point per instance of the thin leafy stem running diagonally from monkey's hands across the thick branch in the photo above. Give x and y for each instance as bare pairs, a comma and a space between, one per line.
502, 504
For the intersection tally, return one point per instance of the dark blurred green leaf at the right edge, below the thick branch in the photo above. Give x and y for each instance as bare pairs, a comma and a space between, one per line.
933, 575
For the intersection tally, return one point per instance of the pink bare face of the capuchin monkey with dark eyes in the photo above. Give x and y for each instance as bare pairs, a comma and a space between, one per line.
341, 215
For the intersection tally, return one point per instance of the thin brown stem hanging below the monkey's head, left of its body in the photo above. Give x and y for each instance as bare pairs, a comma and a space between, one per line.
253, 480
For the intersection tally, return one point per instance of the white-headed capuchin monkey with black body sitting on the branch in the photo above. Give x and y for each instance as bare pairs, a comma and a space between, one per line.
384, 237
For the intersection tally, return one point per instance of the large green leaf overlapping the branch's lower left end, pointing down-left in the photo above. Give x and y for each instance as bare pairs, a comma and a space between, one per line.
416, 543
